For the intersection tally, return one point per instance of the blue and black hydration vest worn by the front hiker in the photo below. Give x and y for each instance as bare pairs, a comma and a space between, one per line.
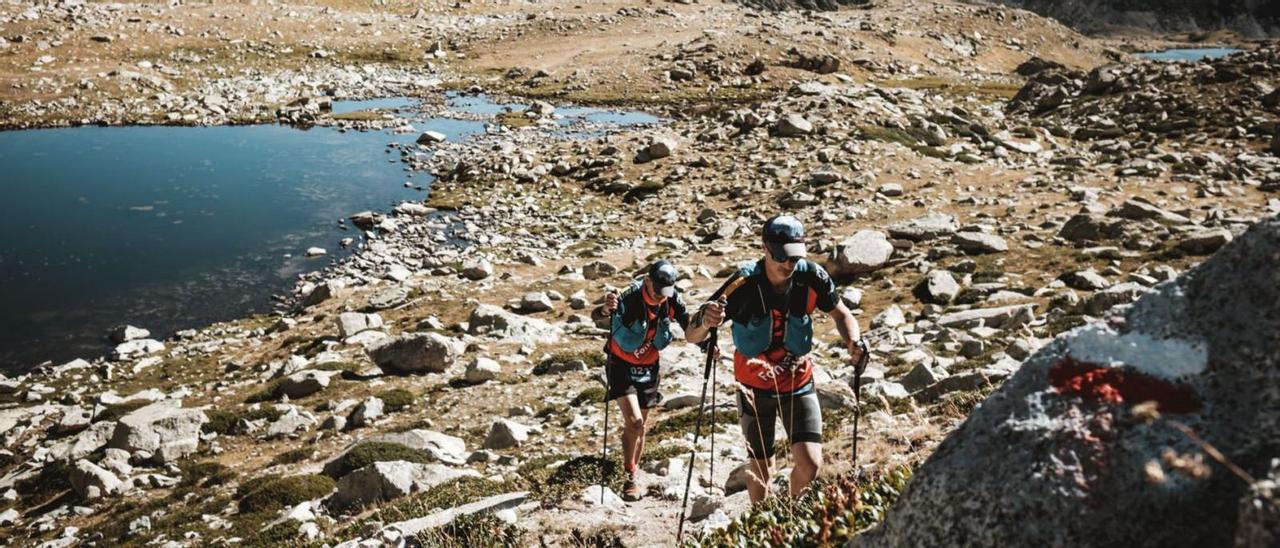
756, 335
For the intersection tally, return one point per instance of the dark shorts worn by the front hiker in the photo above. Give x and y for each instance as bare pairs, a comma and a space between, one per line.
802, 418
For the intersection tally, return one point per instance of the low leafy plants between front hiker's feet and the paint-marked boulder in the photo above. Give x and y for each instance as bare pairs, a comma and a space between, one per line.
830, 514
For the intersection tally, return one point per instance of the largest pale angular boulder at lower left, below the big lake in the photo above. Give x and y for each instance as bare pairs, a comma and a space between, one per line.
163, 430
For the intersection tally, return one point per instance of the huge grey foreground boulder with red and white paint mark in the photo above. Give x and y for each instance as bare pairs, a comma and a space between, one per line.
1086, 445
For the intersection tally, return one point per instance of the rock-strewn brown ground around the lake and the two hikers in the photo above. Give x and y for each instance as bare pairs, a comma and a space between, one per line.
979, 179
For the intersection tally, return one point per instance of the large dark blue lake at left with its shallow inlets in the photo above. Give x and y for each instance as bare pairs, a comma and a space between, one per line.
172, 227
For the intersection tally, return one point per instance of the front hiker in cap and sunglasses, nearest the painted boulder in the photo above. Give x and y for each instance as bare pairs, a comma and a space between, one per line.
771, 304
